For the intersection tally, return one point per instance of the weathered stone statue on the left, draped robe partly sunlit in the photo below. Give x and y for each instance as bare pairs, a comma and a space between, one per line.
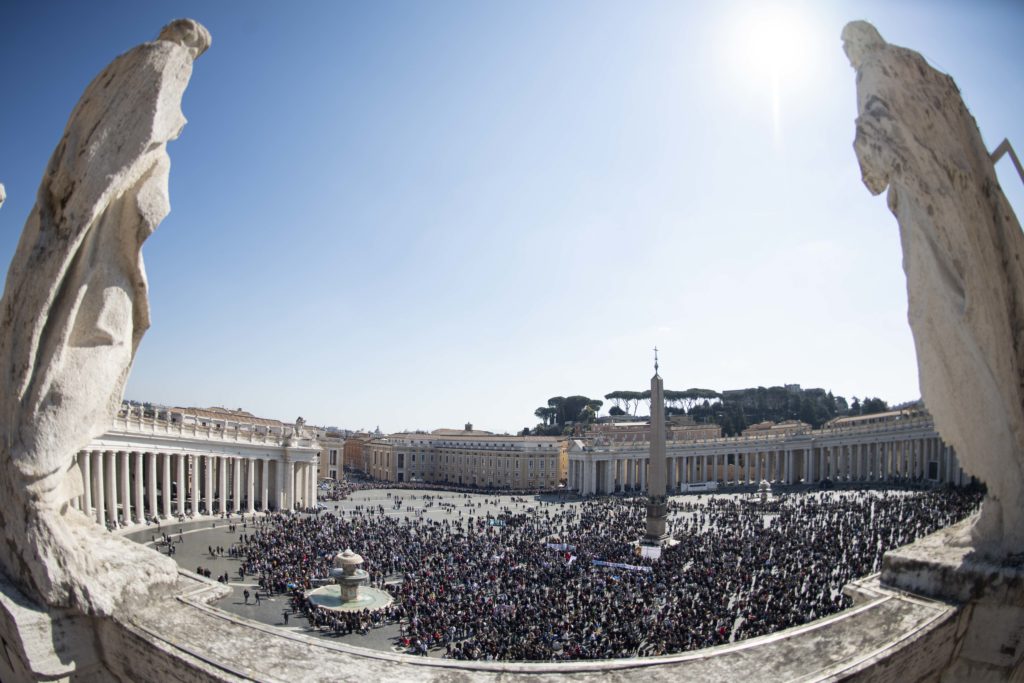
74, 311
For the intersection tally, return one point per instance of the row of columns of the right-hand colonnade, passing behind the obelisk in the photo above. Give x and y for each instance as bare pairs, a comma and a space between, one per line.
797, 461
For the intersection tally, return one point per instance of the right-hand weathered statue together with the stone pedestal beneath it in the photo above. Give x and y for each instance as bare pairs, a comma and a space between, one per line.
965, 280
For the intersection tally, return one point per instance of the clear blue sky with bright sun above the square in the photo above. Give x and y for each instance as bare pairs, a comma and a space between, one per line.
416, 215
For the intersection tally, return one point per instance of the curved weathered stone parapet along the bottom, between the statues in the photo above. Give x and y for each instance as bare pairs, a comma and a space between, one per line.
888, 635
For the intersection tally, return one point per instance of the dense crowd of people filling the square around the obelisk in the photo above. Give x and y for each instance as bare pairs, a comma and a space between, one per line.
525, 587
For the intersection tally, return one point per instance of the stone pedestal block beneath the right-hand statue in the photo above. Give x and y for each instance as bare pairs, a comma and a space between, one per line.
990, 642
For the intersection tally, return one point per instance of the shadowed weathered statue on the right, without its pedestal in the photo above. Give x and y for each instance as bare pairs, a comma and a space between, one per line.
962, 254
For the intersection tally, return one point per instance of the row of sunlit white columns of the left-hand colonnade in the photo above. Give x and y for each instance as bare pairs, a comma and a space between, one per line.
123, 488
